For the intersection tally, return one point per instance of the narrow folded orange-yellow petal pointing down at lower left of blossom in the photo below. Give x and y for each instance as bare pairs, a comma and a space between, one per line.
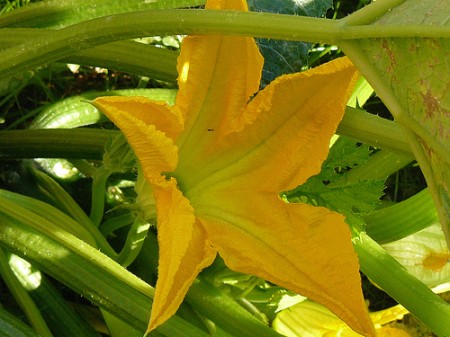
184, 252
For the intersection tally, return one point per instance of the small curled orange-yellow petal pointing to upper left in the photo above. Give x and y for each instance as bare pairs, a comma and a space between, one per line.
154, 149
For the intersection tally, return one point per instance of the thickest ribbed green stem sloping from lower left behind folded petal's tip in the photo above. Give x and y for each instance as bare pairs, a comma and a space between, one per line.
90, 273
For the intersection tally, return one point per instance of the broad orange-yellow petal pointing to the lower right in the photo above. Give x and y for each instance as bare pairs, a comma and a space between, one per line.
303, 248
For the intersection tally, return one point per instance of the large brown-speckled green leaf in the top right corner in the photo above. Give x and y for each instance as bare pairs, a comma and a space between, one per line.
410, 74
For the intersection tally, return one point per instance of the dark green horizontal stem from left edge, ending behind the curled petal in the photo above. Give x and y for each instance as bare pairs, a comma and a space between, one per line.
57, 143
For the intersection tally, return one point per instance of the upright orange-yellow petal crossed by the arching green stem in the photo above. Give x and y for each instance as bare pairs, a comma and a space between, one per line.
217, 77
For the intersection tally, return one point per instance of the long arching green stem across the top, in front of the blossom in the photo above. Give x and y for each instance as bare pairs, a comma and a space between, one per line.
70, 40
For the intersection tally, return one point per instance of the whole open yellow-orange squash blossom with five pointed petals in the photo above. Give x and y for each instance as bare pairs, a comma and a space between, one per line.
217, 161
